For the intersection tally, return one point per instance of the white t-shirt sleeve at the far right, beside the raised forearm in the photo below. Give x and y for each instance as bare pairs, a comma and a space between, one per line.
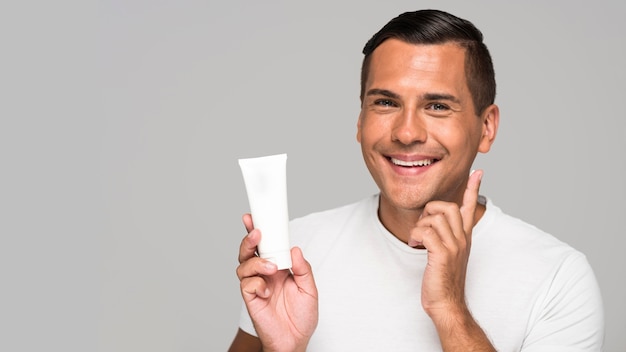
570, 316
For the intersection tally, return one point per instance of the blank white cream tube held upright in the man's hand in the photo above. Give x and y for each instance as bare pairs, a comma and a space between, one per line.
266, 185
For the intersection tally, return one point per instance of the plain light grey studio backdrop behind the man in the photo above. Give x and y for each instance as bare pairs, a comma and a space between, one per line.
122, 122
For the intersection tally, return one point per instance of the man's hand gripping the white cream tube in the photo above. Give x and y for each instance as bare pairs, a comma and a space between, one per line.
283, 305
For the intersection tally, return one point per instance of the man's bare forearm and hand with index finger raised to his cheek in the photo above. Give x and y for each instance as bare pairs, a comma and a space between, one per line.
445, 230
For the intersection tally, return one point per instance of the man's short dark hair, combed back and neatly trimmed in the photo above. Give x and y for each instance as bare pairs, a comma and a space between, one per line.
438, 27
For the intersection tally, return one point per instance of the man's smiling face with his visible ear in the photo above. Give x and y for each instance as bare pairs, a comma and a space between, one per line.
417, 128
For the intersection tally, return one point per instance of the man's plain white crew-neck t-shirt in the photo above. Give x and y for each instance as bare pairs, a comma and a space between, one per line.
526, 289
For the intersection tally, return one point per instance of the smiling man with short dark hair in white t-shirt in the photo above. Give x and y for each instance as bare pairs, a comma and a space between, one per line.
427, 264
